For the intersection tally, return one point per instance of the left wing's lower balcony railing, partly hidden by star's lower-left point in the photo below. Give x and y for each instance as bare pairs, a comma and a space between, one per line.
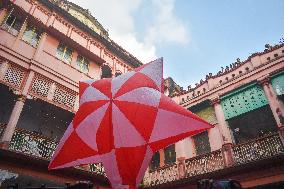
40, 146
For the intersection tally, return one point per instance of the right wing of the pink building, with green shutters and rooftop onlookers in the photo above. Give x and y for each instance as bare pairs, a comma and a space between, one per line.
245, 103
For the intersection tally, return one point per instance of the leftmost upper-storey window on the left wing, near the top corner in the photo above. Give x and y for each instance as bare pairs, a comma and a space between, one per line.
12, 23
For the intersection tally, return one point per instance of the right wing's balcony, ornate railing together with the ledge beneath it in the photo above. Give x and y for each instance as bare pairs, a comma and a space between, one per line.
213, 164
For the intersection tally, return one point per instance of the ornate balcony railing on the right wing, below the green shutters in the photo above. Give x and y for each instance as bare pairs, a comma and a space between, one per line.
254, 150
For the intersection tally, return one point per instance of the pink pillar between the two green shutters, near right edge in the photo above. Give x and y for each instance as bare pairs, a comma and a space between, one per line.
272, 100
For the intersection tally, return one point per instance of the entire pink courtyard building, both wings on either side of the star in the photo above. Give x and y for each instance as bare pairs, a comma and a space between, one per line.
48, 46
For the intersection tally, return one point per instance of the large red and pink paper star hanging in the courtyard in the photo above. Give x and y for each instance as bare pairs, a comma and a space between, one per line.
122, 122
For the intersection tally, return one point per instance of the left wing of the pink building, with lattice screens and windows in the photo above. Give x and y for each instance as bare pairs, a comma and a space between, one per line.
46, 48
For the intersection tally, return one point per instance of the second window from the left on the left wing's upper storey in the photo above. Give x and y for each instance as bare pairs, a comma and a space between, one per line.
31, 35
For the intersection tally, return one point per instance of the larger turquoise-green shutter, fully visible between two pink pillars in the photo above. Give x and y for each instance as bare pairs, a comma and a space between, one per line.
243, 100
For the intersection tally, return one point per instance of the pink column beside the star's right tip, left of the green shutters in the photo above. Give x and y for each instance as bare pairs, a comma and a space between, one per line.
227, 151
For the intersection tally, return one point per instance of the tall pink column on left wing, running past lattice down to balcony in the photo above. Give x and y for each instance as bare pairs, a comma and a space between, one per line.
16, 112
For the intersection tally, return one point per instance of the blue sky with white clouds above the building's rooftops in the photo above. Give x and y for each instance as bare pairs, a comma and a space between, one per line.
195, 37
